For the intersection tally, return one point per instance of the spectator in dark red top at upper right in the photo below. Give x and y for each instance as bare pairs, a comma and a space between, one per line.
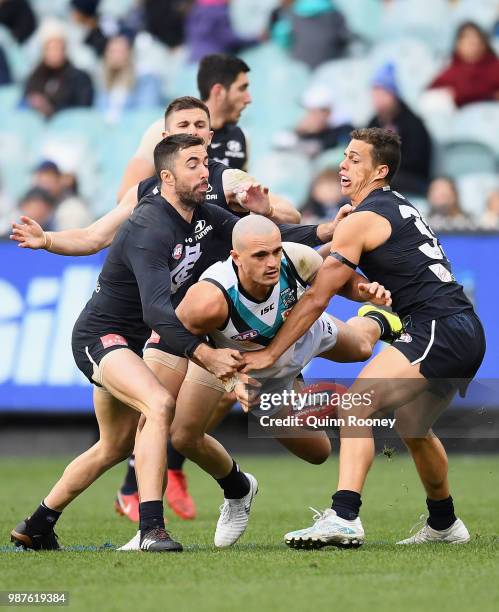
473, 74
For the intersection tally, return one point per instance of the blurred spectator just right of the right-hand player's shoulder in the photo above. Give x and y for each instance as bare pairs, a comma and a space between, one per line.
445, 211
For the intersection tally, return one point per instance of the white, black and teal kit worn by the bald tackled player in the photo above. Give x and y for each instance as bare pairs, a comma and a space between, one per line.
251, 324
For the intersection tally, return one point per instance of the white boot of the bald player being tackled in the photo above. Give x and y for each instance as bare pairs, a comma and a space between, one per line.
234, 516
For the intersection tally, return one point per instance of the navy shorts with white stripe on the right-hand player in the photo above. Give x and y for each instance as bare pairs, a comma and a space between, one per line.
449, 350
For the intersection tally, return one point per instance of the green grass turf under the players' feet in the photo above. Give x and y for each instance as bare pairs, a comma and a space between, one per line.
260, 573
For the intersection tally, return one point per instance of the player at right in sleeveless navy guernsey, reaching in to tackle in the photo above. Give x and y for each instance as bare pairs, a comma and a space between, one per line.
441, 350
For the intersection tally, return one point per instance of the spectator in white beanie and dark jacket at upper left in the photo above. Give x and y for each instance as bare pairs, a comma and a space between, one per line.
55, 84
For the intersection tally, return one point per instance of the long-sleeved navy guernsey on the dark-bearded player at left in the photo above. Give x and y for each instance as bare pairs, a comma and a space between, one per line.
154, 258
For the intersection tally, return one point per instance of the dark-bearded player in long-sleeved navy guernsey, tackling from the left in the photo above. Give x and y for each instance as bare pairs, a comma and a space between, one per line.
155, 256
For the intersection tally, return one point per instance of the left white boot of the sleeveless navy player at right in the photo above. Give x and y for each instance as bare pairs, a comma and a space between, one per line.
328, 530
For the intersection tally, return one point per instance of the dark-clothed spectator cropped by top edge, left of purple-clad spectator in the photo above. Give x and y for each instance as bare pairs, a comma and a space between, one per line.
166, 20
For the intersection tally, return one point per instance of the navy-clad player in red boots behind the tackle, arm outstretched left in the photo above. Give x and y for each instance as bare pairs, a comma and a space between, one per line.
230, 189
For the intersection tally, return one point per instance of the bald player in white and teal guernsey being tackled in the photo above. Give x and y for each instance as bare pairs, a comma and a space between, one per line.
261, 276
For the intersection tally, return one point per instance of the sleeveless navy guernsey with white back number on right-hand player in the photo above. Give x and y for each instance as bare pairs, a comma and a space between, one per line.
411, 263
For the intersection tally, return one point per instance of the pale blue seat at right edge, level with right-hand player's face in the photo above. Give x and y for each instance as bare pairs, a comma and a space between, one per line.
466, 157
